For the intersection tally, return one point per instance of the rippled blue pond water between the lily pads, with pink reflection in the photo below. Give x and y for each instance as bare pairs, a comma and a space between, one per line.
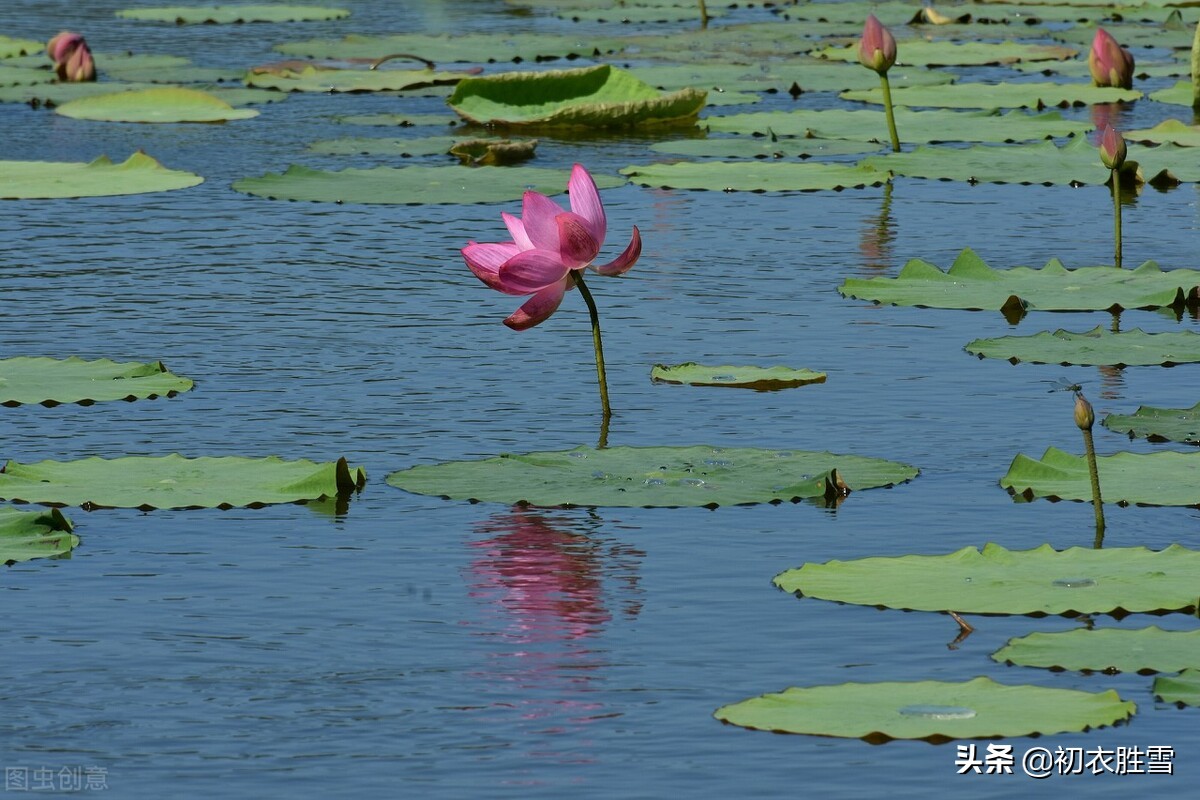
415, 647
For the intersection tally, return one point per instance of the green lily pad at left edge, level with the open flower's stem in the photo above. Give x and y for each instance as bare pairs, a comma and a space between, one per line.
51, 382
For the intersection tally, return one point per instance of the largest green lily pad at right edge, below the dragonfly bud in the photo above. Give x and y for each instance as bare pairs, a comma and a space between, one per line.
997, 581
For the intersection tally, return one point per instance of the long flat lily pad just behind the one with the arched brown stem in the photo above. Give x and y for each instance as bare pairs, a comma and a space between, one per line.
467, 47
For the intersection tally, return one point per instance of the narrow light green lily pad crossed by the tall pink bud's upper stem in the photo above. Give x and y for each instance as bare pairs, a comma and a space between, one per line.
1003, 95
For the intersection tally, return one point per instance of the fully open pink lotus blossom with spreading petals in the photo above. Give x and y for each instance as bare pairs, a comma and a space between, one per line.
549, 248
